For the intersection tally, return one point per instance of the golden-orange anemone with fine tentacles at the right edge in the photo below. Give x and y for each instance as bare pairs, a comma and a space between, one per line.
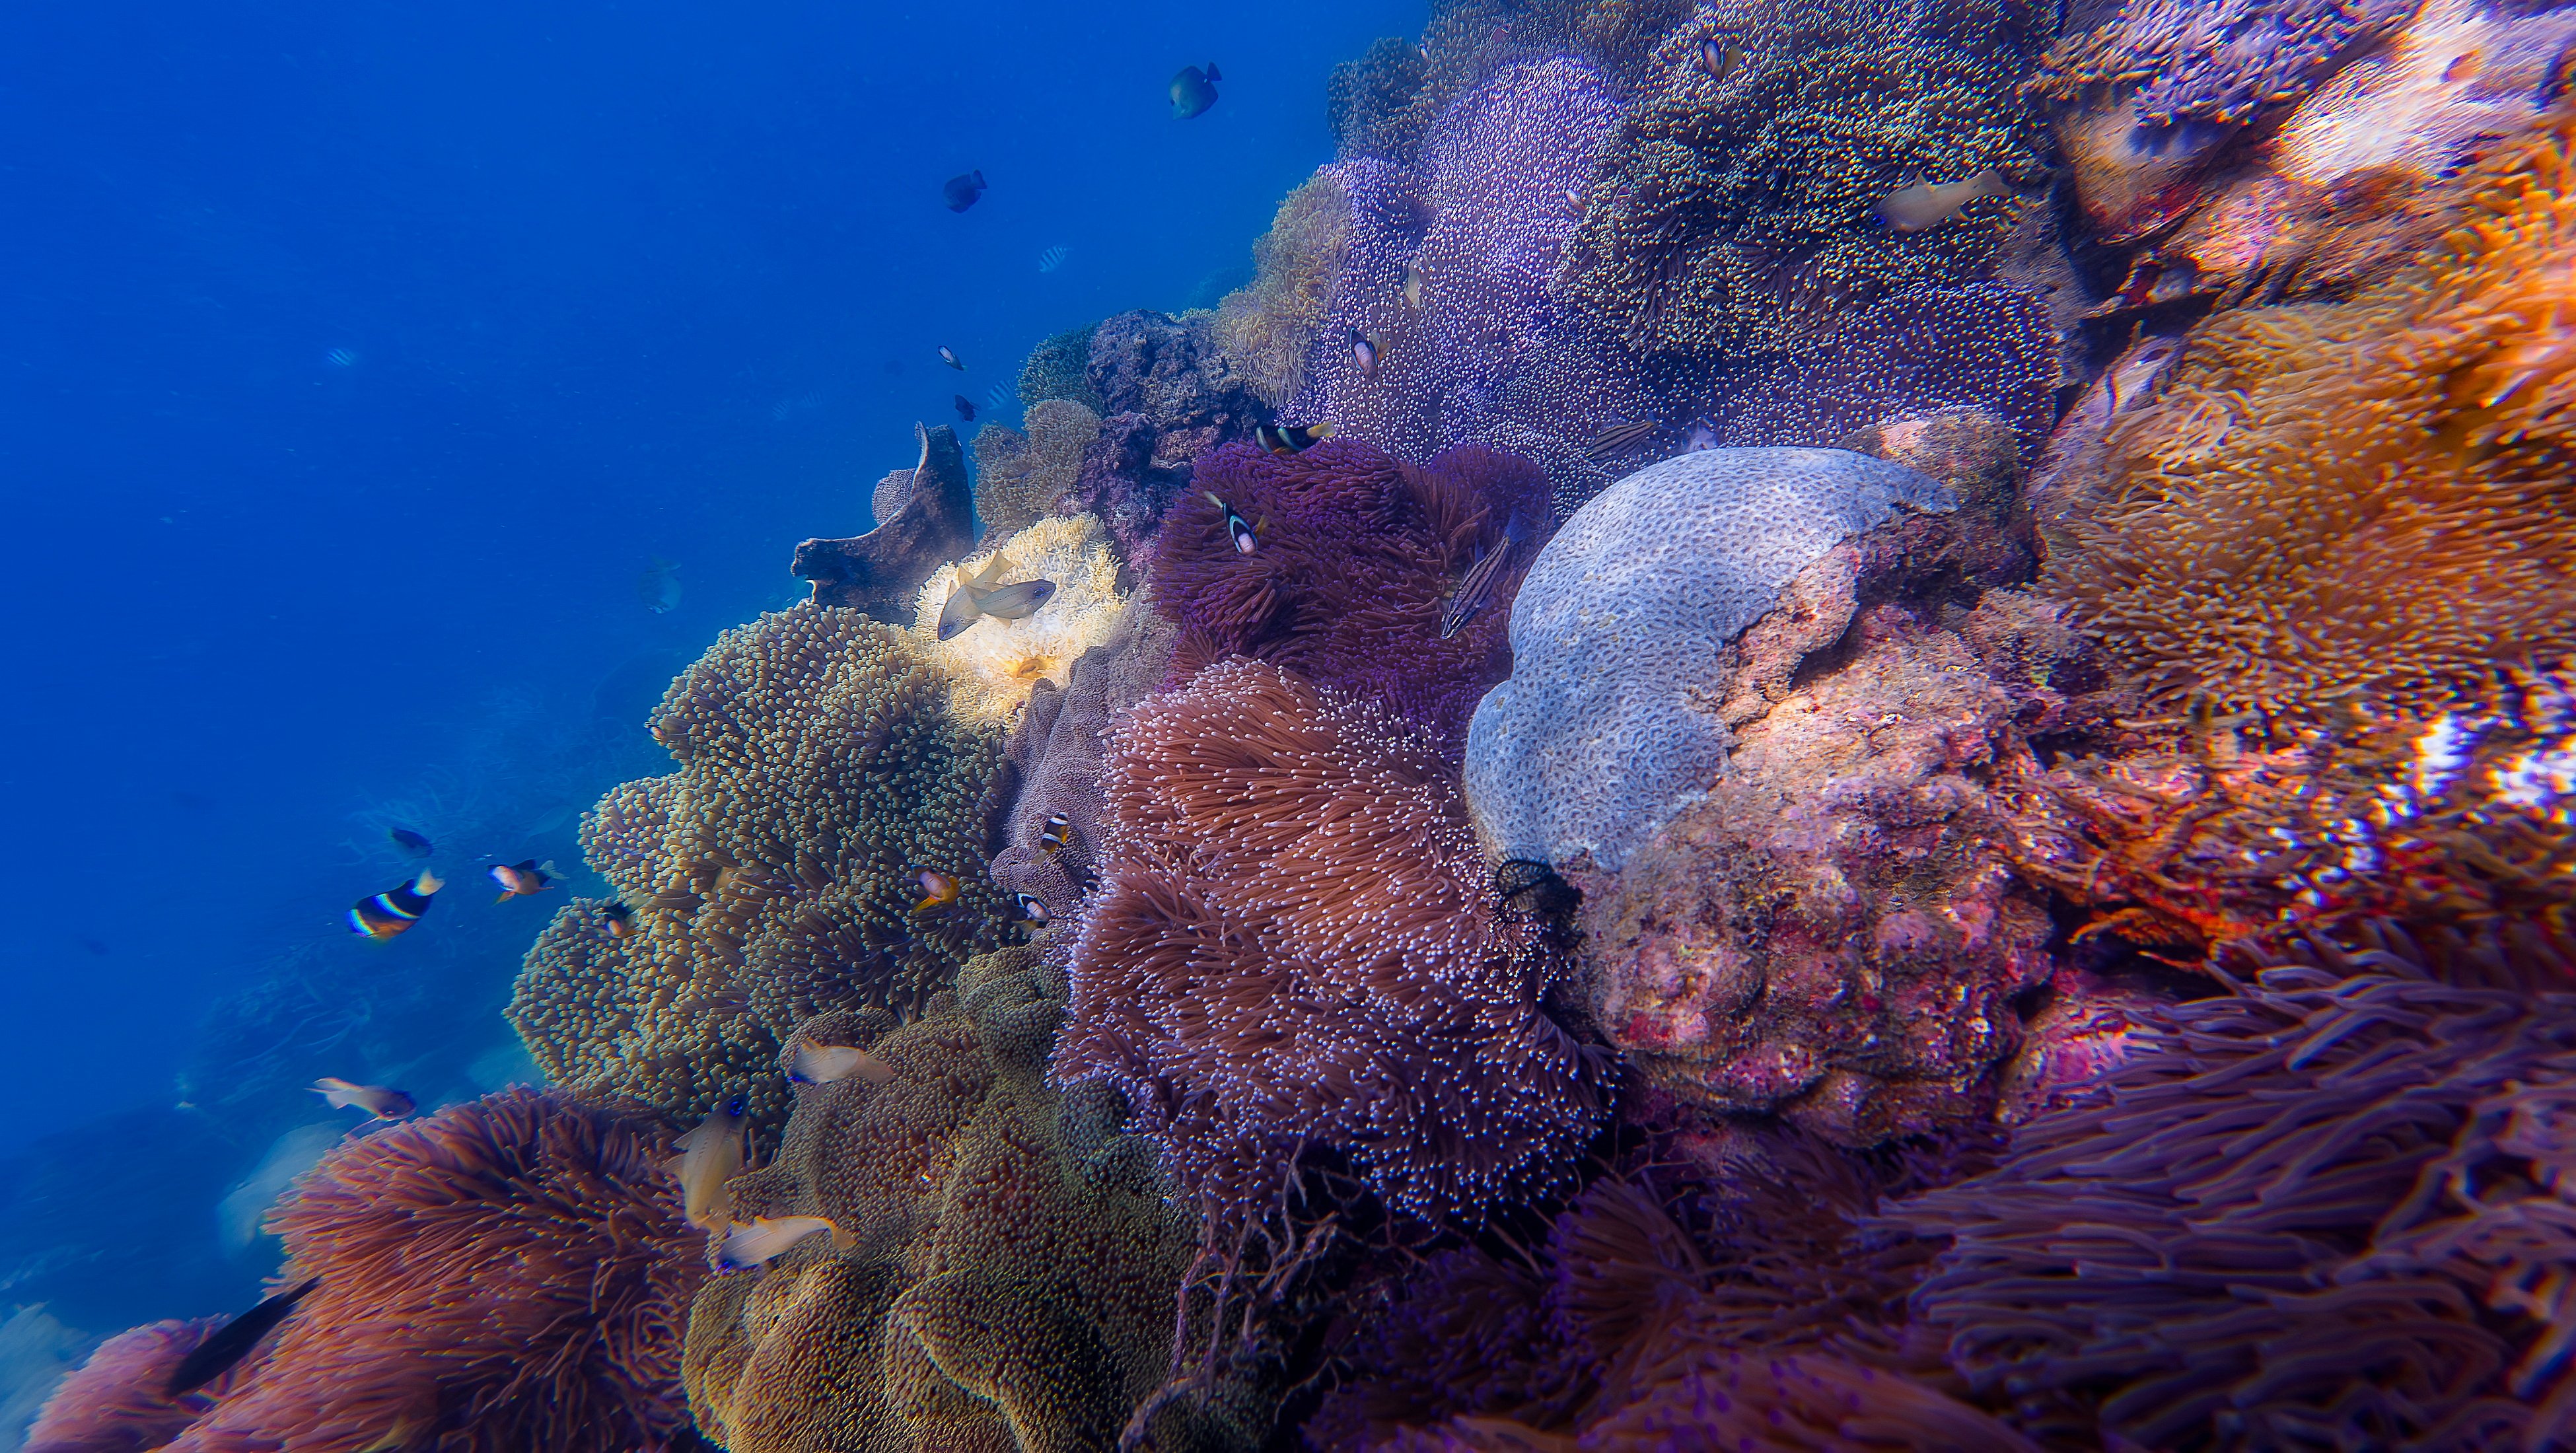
2356, 501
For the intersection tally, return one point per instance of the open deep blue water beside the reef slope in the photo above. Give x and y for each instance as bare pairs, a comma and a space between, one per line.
357, 362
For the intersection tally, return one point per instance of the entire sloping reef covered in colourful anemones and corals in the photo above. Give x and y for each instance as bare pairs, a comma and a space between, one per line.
1905, 779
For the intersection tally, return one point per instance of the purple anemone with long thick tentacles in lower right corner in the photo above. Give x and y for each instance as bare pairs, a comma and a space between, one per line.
2322, 1212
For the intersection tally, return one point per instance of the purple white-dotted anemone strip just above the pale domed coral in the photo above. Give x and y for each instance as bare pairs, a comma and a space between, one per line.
1964, 347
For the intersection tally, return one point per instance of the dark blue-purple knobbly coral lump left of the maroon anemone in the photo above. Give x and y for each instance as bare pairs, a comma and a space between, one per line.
1166, 398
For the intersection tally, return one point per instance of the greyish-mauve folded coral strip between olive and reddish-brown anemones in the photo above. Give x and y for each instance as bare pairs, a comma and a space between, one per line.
1057, 759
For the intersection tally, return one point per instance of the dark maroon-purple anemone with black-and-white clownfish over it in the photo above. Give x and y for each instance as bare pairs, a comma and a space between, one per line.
1356, 563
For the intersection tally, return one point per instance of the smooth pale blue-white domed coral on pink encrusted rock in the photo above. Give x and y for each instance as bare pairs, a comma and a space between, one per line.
1598, 736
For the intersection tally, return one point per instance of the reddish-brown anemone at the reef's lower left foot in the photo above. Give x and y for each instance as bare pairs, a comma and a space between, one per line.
501, 1277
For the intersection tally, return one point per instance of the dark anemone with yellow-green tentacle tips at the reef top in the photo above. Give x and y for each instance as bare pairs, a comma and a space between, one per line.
1740, 215
